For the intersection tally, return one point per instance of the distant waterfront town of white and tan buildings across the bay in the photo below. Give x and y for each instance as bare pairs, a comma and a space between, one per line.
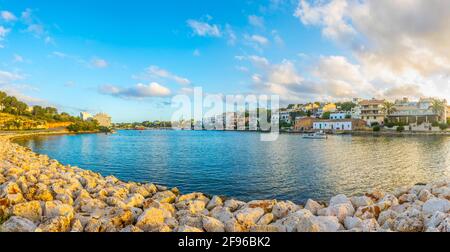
423, 115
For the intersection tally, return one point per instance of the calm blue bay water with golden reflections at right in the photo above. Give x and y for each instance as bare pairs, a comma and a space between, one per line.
238, 164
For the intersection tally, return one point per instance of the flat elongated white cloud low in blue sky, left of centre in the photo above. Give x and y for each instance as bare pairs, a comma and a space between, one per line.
140, 90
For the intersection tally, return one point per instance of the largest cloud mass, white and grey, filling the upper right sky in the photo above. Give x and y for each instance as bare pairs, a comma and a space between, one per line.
398, 46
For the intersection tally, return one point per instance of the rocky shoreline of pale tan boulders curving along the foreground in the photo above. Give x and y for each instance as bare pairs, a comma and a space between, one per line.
38, 194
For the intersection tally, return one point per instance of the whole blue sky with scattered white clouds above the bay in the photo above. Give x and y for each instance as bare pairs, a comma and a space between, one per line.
128, 58
